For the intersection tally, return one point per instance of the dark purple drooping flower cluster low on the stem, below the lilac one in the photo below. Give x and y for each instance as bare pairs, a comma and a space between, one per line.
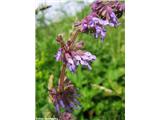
67, 99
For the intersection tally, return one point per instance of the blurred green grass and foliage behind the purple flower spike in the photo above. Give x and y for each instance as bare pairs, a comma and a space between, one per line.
102, 89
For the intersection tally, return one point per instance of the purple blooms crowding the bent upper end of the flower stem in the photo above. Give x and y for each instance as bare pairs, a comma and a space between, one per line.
103, 13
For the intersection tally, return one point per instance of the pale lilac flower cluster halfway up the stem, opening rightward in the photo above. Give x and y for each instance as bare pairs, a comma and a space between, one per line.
73, 56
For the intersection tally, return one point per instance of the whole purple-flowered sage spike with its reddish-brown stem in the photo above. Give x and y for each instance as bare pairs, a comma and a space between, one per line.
71, 54
